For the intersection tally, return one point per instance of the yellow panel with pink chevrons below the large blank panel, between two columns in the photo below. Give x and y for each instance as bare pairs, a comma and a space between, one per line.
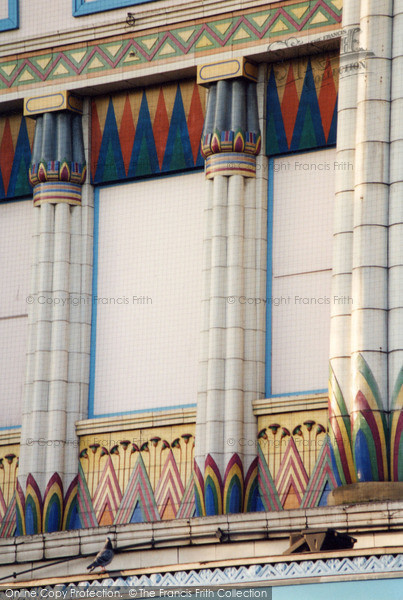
136, 476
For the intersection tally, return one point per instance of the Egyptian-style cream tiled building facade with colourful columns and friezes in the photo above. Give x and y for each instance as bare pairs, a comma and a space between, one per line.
178, 367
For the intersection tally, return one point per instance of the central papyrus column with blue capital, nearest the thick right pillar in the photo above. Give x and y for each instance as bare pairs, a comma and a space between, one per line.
232, 348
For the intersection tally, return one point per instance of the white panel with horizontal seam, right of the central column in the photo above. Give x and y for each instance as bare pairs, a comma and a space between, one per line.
303, 198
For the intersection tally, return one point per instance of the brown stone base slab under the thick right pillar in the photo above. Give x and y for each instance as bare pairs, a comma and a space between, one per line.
366, 491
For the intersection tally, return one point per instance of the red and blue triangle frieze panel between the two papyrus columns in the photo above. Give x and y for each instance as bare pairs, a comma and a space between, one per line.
147, 132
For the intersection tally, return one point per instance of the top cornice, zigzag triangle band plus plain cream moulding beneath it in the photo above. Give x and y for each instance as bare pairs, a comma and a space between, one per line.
171, 52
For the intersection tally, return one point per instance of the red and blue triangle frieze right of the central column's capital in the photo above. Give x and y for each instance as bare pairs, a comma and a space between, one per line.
302, 104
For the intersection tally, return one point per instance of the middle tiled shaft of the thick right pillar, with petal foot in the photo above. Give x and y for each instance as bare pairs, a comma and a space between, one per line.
369, 326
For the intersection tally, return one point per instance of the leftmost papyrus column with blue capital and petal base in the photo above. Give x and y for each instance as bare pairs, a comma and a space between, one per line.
48, 468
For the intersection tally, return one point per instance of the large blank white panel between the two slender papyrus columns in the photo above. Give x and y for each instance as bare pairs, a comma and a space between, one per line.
149, 260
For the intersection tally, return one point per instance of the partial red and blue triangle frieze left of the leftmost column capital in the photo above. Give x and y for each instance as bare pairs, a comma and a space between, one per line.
16, 139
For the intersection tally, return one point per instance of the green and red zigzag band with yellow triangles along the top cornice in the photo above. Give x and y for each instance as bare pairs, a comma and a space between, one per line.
247, 27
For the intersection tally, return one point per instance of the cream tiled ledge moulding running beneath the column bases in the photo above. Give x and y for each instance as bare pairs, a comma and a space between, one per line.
259, 529
